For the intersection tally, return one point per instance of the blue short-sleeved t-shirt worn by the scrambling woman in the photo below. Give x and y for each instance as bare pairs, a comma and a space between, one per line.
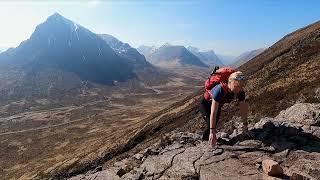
218, 95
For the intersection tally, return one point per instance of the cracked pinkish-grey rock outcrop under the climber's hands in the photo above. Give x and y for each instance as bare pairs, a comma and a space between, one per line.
289, 139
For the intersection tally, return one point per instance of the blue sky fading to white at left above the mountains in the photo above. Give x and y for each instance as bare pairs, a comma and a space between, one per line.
229, 27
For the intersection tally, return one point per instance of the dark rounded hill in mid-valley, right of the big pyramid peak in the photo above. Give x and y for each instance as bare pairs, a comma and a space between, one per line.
173, 56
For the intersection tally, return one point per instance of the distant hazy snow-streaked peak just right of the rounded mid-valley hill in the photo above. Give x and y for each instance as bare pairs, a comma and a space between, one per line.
208, 57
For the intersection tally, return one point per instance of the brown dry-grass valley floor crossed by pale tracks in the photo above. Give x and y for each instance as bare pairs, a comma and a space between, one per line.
71, 137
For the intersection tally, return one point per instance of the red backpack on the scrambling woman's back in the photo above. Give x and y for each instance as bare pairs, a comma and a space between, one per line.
218, 76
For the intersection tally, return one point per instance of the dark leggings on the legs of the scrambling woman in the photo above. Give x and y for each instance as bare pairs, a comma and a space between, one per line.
205, 109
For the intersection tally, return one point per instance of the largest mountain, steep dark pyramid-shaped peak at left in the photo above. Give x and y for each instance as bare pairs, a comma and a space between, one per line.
63, 44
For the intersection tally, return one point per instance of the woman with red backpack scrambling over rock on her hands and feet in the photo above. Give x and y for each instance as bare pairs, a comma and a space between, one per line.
223, 86
